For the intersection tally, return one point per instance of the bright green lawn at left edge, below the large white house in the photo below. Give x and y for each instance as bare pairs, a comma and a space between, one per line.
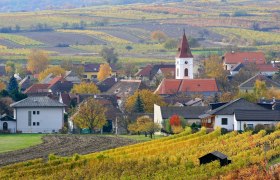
13, 142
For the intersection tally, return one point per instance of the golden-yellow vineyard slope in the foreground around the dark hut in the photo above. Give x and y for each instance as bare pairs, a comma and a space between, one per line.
174, 157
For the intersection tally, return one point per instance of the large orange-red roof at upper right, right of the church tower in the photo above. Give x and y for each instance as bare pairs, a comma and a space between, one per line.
244, 57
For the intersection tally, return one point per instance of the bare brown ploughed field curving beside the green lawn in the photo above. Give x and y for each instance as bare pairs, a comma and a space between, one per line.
64, 145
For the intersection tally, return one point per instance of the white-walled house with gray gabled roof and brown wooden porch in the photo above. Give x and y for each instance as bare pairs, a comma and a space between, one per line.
224, 116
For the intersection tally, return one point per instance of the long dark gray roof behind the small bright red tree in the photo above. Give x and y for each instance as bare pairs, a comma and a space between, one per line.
187, 112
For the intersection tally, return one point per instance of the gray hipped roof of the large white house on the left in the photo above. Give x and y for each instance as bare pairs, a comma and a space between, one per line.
37, 102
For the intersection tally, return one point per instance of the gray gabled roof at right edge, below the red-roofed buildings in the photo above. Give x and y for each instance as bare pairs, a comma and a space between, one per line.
250, 83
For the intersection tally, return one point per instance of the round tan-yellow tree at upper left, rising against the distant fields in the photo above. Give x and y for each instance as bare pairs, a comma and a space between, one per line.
37, 61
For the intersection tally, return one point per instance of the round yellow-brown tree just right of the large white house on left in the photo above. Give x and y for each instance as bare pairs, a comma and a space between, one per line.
90, 114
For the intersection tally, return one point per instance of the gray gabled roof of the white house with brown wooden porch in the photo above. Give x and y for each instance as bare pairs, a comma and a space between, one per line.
229, 108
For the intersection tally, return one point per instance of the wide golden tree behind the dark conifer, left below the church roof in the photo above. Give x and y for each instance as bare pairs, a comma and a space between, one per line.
148, 98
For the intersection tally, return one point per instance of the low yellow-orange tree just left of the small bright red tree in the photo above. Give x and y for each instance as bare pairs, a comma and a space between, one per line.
144, 124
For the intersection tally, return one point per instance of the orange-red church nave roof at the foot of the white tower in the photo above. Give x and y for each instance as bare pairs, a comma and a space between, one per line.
172, 86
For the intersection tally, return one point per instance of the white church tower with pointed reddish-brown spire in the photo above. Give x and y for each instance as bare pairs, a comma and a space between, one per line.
184, 60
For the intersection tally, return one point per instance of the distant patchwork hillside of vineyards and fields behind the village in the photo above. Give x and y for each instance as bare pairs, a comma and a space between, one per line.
79, 34
